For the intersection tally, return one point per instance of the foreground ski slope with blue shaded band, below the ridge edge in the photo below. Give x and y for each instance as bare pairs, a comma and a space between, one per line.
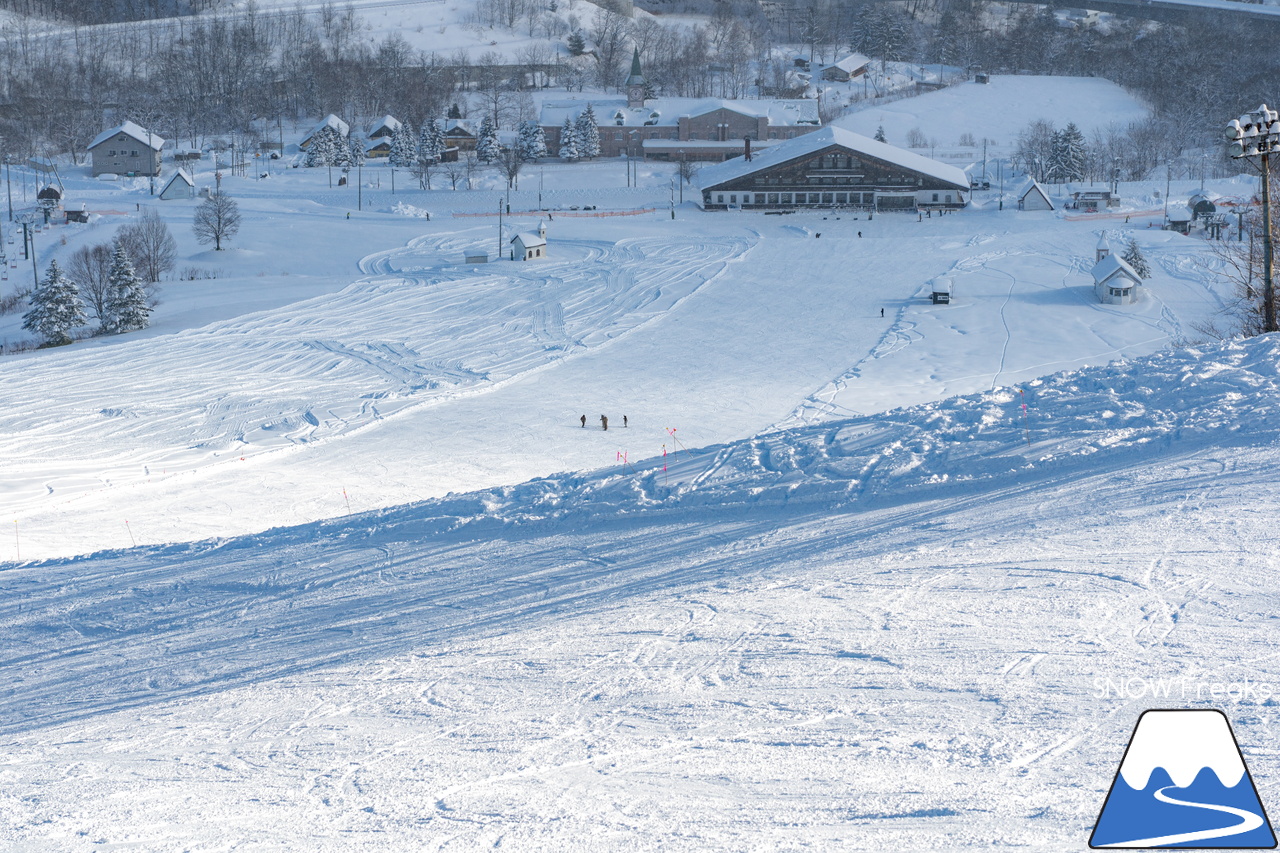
876, 633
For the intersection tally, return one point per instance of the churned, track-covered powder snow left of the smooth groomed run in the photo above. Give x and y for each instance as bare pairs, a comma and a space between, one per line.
418, 330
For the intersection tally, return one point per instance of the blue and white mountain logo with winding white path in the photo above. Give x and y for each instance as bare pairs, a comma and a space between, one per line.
1183, 784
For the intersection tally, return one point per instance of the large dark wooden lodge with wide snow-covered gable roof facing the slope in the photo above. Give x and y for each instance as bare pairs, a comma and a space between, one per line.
834, 168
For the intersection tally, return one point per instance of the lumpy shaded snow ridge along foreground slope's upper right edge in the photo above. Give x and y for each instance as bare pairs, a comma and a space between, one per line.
1092, 419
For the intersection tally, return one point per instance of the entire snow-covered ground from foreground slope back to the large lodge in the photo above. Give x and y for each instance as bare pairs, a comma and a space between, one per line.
324, 560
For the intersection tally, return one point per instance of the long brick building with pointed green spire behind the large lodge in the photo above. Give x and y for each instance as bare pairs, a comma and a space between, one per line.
660, 127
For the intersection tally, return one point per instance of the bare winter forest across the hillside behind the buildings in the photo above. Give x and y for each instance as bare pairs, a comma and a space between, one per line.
225, 74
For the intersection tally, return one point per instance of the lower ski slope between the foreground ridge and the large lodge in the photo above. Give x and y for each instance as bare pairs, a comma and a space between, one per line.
428, 376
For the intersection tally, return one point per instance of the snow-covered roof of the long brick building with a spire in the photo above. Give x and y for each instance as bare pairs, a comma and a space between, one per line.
668, 112
